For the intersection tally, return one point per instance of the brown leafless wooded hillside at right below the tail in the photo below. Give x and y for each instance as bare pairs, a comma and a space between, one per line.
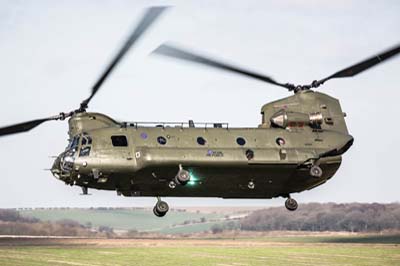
352, 217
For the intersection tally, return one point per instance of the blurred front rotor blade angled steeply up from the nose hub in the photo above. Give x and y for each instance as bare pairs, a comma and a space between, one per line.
149, 17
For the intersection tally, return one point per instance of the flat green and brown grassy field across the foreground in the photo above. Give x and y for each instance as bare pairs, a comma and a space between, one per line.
274, 250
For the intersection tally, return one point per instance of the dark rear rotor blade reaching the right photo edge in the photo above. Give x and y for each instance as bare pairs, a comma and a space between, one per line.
364, 65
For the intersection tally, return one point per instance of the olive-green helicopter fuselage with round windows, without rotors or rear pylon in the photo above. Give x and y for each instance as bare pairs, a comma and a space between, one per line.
140, 160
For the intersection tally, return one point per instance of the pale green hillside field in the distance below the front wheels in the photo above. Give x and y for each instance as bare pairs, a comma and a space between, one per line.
127, 219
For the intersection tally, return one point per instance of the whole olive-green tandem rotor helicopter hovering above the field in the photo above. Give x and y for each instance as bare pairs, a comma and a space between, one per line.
298, 145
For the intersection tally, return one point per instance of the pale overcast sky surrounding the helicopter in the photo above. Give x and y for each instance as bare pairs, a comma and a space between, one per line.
51, 52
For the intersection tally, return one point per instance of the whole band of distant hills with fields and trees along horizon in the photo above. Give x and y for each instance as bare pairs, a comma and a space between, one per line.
133, 222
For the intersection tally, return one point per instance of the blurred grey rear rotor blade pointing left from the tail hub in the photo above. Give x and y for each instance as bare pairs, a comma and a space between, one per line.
174, 52
